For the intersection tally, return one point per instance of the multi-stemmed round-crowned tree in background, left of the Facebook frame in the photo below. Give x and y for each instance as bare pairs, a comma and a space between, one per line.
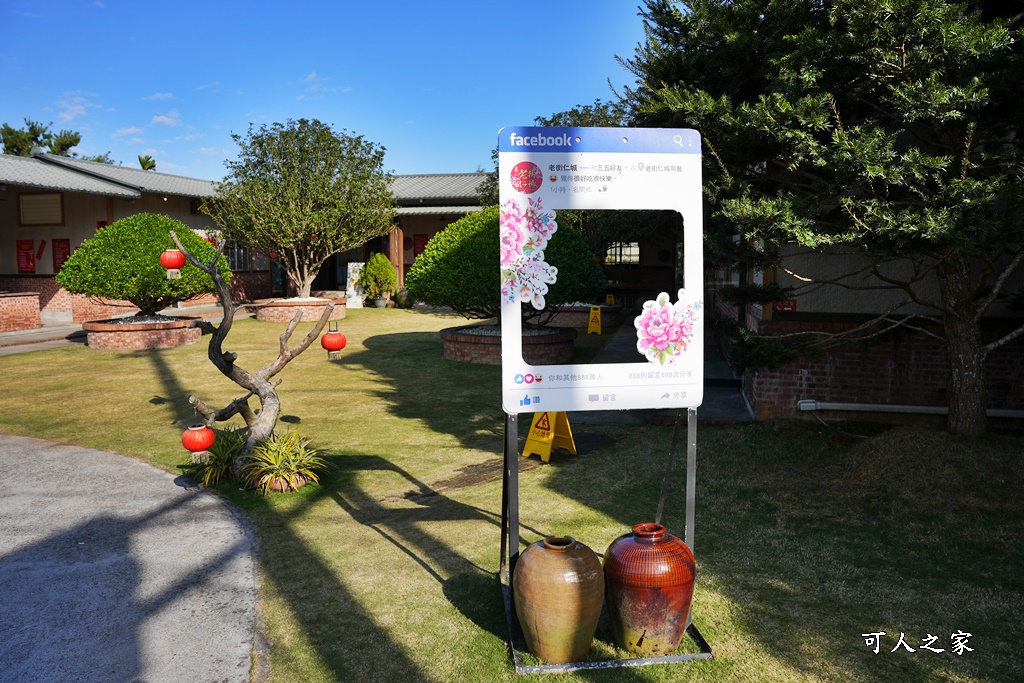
306, 192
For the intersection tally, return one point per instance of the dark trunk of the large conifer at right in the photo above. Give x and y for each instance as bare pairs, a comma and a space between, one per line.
968, 389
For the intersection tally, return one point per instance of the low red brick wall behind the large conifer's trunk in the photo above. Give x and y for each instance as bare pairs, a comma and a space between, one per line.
912, 369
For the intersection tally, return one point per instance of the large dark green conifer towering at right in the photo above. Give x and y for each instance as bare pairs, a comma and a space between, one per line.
890, 131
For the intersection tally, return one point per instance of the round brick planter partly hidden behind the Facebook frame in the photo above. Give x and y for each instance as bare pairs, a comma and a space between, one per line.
550, 350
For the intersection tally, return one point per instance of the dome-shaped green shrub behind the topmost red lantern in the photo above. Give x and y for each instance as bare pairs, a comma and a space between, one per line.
122, 262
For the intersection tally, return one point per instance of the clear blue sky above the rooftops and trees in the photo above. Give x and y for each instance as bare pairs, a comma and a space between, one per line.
431, 81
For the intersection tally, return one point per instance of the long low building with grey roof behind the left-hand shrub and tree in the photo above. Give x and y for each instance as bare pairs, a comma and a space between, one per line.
51, 204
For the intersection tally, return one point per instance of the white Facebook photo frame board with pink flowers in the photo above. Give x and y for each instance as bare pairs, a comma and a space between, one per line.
544, 170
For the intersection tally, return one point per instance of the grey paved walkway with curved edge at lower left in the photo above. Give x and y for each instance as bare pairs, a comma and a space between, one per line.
112, 570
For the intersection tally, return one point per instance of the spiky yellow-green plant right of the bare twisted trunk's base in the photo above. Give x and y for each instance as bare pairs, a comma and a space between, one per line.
289, 459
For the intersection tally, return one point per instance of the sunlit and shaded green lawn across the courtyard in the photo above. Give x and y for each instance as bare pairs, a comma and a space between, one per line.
806, 538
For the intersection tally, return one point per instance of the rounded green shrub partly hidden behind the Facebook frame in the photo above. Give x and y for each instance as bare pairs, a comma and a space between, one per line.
460, 269
